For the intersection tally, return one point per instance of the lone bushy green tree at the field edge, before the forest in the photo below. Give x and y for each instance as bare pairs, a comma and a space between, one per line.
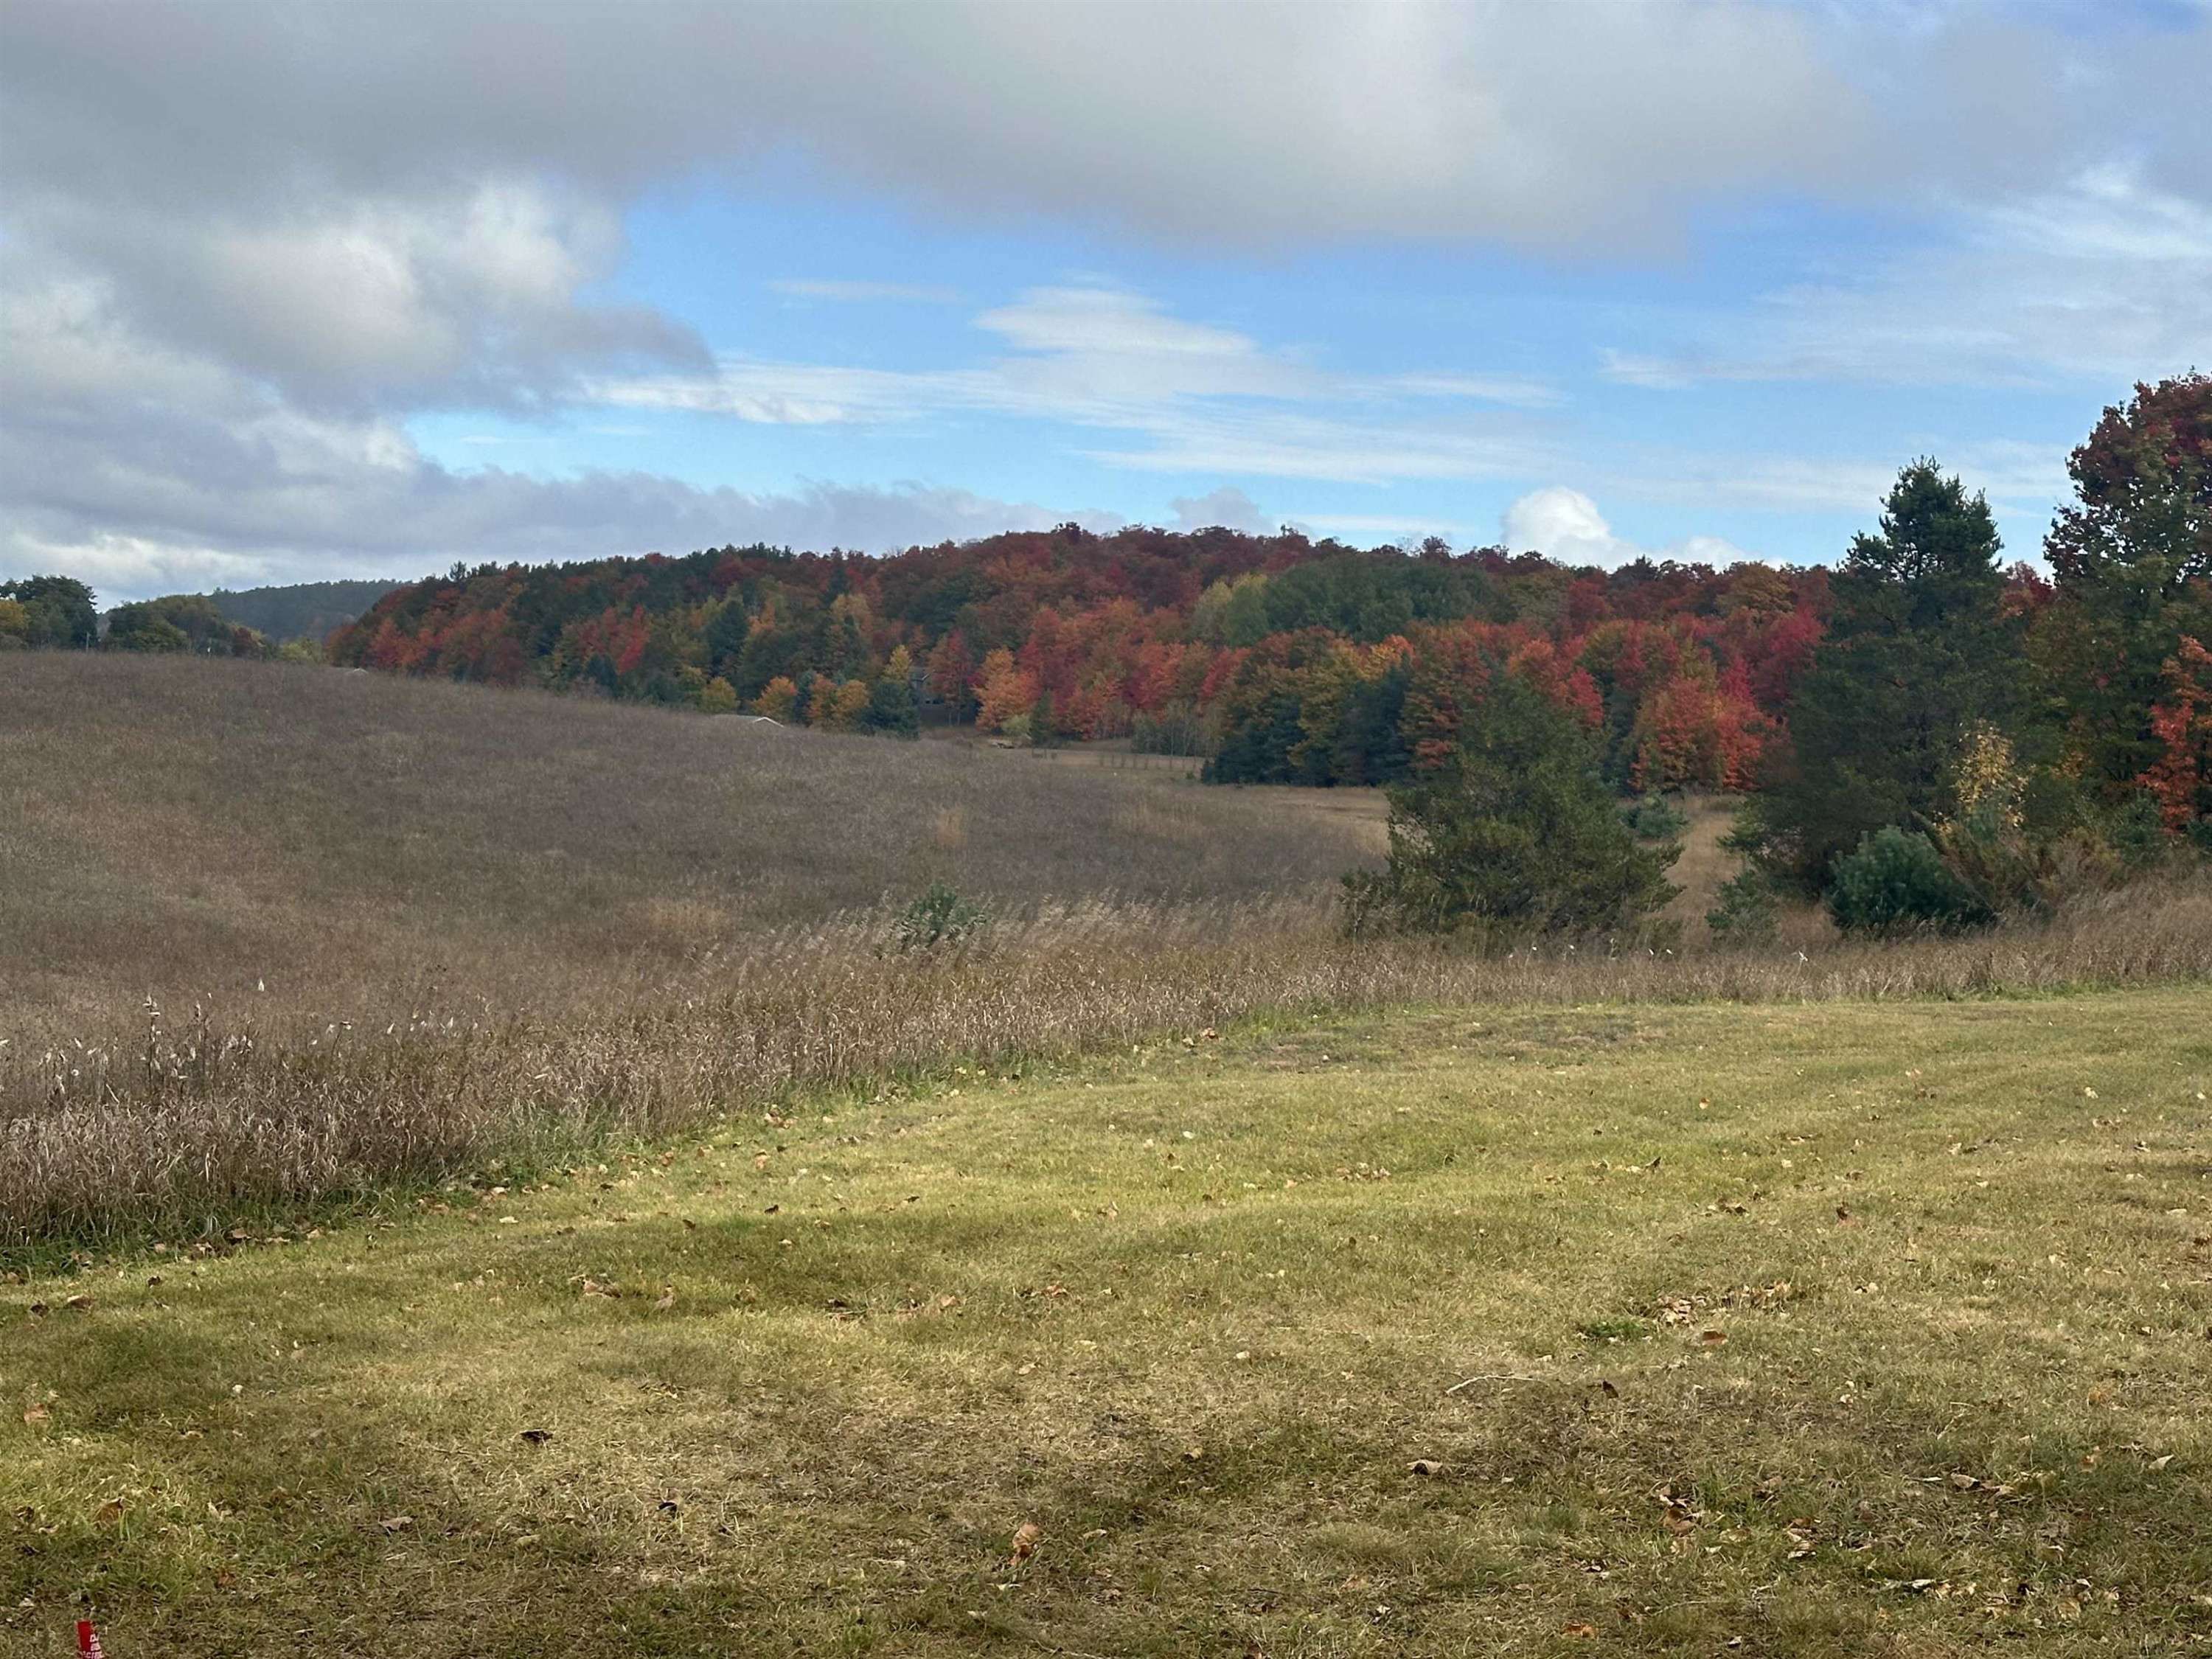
1514, 835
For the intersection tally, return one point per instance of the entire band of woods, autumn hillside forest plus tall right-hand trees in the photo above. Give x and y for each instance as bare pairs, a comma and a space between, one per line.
2036, 729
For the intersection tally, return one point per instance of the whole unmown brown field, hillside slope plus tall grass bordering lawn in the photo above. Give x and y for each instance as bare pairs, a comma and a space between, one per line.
284, 943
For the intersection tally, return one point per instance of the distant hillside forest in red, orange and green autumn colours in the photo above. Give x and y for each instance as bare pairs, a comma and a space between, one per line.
1280, 658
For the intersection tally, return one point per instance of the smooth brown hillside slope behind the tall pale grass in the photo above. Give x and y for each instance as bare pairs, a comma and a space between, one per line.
191, 826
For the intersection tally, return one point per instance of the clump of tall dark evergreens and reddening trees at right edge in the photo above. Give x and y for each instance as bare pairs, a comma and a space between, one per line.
1970, 742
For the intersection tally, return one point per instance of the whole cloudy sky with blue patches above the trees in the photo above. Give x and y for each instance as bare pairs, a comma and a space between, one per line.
313, 291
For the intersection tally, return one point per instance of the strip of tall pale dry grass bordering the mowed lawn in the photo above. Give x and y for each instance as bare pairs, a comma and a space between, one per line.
191, 1120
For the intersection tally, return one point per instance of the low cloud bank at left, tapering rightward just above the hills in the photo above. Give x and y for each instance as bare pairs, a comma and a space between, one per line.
147, 470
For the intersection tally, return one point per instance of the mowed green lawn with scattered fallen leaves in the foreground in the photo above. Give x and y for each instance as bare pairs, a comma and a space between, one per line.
1797, 1331
